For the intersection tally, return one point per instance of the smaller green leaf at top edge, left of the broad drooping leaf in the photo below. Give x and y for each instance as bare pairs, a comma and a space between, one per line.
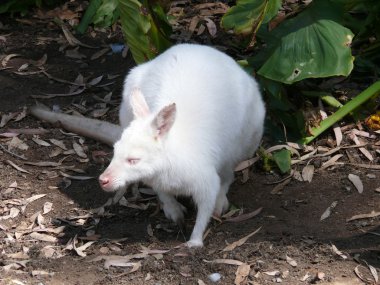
247, 16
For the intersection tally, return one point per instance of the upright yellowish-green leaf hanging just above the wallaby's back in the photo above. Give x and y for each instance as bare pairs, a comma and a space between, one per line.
143, 30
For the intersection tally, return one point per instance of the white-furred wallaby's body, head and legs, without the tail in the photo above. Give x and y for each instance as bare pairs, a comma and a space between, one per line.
192, 146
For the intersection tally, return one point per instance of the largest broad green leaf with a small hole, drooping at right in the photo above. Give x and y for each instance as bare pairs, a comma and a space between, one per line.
313, 44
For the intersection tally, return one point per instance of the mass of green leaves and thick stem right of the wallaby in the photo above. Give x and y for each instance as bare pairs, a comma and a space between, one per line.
314, 43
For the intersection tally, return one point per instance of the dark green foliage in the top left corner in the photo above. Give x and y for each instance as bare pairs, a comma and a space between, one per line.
22, 6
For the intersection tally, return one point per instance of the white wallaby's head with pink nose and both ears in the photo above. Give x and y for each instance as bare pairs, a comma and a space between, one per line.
139, 154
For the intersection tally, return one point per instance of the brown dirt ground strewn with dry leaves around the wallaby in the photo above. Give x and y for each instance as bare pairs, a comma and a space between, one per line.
293, 245
